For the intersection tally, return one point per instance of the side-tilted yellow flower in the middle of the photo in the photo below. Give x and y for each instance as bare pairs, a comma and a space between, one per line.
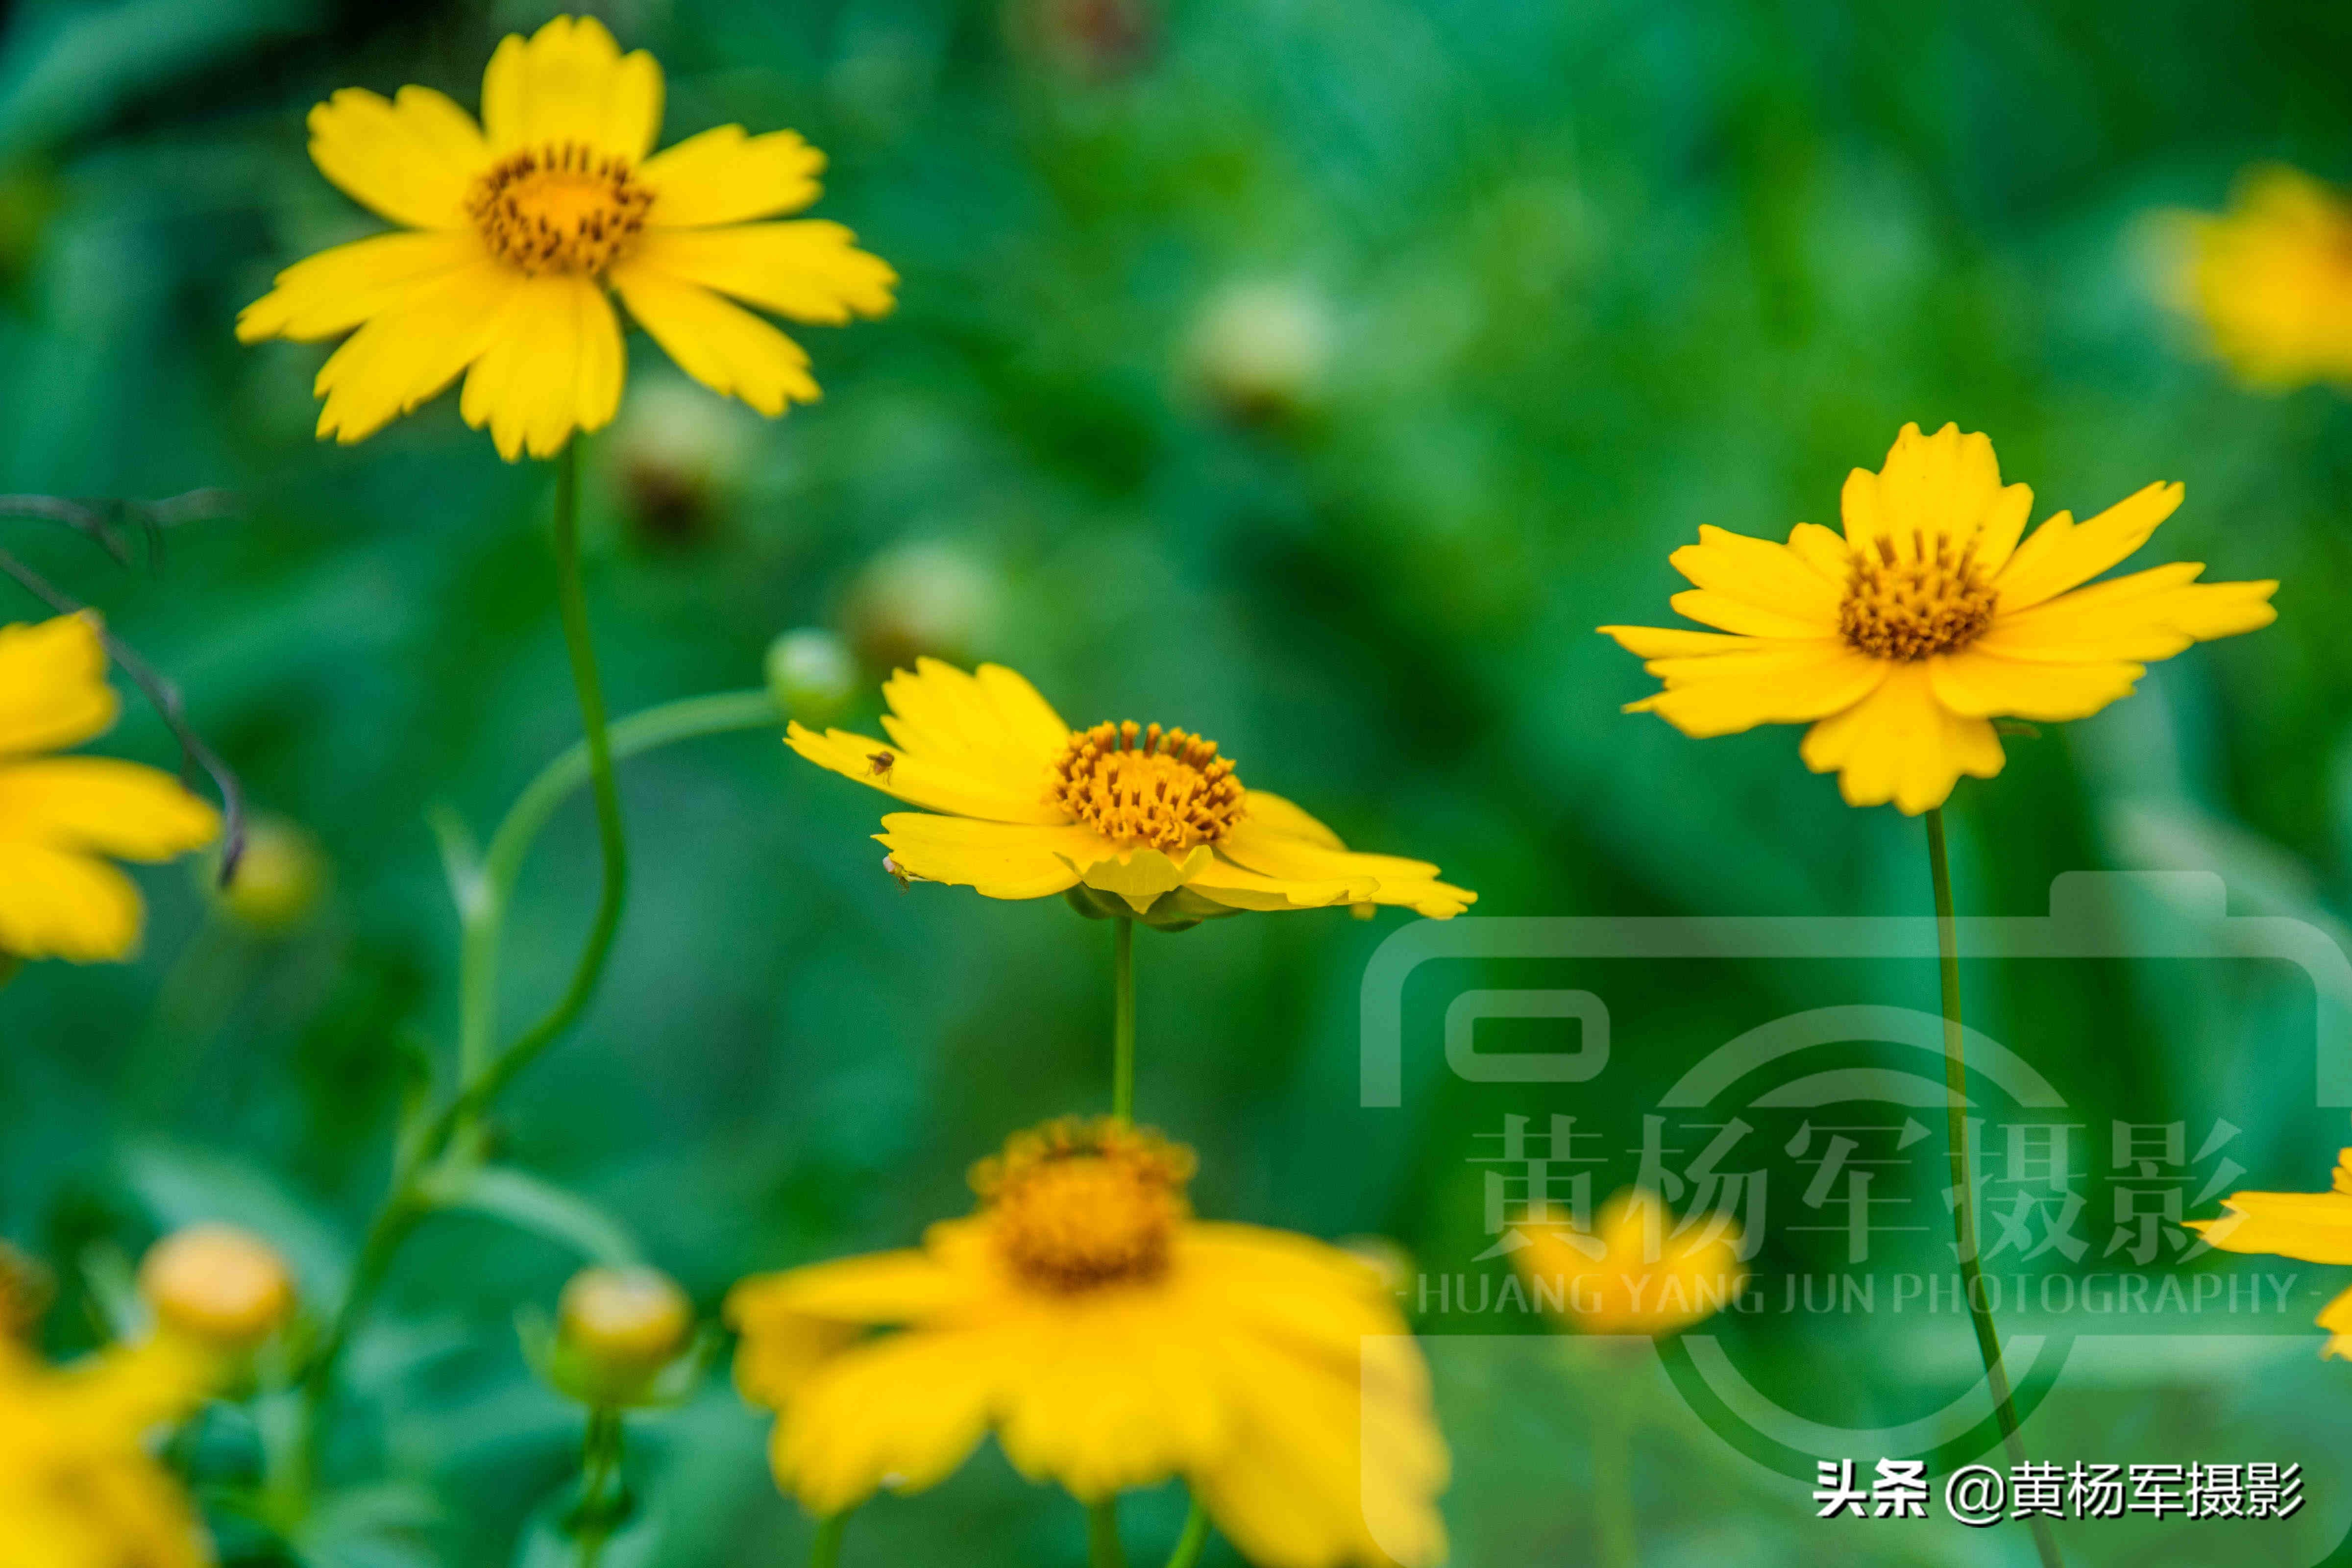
1029, 808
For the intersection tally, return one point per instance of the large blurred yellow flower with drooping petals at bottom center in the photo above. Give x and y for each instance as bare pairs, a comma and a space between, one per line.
1111, 1341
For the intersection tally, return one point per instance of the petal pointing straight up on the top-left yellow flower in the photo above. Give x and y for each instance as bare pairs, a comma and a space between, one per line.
573, 83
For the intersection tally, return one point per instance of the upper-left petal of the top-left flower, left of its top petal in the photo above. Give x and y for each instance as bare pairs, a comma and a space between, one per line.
410, 159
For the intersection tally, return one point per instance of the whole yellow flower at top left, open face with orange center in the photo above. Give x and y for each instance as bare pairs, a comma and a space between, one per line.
523, 222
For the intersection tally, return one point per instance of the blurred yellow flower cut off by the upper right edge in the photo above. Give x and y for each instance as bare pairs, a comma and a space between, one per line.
2271, 279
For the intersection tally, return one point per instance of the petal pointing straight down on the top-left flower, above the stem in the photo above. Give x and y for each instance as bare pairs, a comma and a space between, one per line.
552, 368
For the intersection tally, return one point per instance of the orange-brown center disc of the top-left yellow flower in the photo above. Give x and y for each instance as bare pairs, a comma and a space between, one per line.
563, 208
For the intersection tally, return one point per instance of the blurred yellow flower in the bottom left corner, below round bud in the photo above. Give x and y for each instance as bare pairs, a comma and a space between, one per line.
79, 1487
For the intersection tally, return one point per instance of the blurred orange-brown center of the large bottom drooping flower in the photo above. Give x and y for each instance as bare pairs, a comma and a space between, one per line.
1085, 1205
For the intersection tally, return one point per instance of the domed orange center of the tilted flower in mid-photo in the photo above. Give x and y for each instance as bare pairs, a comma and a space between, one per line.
1147, 784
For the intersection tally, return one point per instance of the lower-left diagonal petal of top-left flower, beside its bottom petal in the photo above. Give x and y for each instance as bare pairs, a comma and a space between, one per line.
415, 349
